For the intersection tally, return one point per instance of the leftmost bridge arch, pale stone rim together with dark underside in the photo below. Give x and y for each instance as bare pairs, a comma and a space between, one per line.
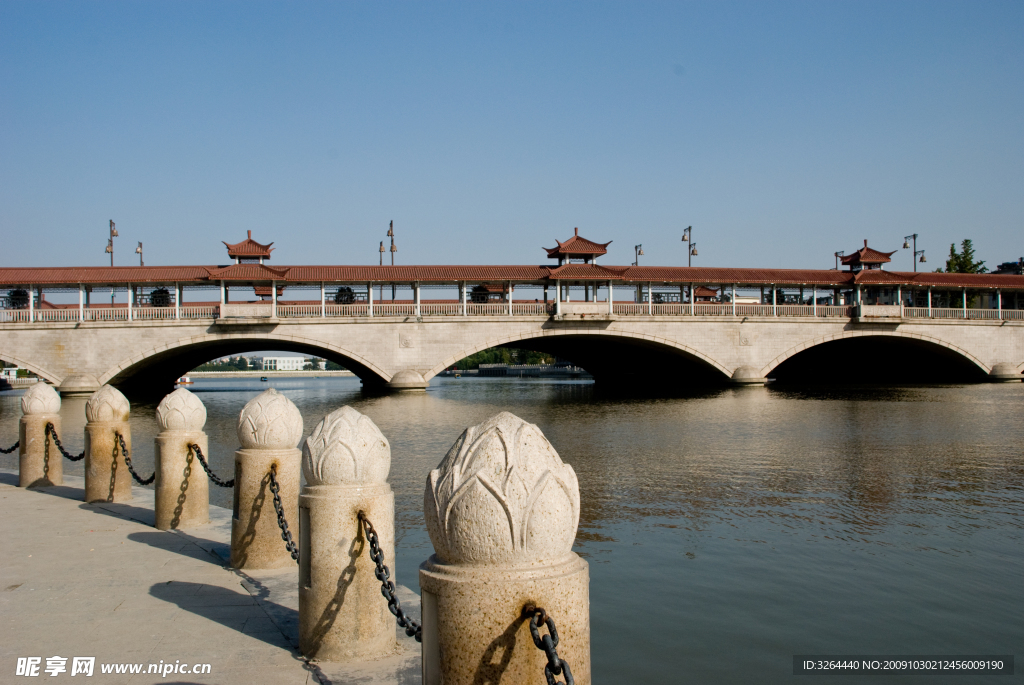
164, 364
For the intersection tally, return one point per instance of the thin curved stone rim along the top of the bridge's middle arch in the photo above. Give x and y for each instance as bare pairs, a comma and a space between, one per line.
551, 335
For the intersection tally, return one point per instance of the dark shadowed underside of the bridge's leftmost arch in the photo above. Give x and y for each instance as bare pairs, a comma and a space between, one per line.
155, 375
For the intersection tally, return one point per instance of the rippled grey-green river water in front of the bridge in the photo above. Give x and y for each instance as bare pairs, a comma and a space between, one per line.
730, 530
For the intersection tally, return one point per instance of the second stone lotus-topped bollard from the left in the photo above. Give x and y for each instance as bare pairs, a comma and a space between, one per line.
107, 477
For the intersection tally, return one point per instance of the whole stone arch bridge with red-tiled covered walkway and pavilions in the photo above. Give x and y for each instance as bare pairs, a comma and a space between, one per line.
630, 326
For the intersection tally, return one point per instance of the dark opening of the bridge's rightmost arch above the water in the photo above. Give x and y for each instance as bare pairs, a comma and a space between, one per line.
878, 360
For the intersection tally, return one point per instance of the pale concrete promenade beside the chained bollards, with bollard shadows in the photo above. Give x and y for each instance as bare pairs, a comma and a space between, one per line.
100, 581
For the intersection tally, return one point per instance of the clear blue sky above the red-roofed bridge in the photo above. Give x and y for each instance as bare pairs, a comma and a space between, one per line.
782, 132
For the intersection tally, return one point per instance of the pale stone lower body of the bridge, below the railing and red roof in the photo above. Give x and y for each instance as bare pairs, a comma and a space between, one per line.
405, 353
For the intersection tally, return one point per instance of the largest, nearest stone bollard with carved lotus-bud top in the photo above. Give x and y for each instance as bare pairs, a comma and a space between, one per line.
502, 511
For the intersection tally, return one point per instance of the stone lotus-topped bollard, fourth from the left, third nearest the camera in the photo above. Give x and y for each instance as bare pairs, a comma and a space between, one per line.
270, 427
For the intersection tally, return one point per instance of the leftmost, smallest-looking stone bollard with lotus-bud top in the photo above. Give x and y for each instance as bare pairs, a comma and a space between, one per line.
40, 463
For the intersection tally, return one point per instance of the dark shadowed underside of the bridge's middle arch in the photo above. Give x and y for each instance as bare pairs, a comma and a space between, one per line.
623, 364
